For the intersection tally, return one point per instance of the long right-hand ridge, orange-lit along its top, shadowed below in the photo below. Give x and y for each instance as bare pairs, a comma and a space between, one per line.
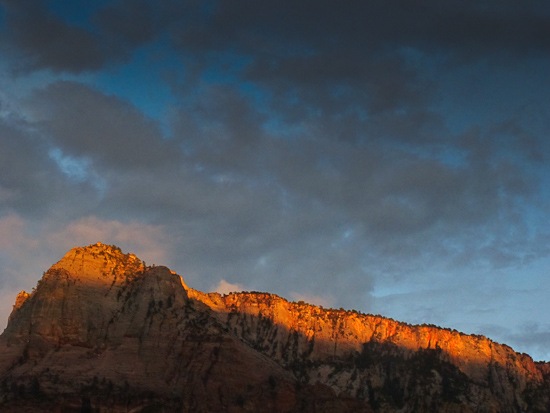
392, 364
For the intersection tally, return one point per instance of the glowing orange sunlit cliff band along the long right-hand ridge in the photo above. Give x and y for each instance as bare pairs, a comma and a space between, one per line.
337, 332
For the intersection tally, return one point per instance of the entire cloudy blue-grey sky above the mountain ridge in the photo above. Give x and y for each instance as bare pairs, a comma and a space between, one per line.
391, 156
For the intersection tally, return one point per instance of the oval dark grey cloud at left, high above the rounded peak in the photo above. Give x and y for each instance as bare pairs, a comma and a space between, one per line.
86, 123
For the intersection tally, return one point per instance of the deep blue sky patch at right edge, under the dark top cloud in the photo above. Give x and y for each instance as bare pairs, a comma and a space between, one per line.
508, 103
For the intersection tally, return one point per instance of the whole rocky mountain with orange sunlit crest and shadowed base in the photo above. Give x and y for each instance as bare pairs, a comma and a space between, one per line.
103, 332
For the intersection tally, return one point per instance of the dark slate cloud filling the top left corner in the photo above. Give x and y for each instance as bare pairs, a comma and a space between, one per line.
41, 37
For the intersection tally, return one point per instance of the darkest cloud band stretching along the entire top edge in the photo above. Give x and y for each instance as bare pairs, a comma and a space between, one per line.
286, 39
